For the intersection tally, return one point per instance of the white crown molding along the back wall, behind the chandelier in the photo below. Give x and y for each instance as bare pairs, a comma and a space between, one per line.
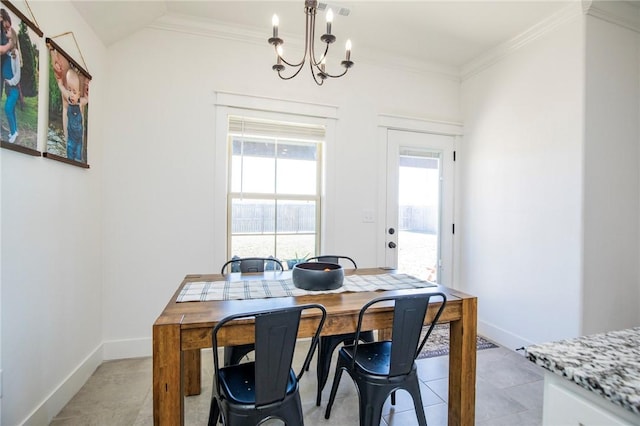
205, 27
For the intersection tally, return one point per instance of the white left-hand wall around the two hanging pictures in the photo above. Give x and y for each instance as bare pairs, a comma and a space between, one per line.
51, 253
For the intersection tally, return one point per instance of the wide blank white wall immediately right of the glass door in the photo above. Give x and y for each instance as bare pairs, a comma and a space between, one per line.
522, 190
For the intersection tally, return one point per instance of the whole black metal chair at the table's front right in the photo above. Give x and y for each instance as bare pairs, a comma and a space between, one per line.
380, 368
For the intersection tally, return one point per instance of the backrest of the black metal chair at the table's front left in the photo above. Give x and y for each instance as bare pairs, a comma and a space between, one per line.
275, 334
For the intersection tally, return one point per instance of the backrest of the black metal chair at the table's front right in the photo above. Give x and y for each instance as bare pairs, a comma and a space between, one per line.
409, 314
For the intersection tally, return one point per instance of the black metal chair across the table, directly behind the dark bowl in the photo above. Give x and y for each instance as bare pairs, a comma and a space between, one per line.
328, 344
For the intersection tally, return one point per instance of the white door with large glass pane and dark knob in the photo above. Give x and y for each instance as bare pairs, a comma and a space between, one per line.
419, 231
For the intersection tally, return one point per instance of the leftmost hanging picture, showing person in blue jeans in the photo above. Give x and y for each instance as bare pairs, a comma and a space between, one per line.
20, 39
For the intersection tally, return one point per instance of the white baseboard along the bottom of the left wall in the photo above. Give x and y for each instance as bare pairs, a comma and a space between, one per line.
62, 394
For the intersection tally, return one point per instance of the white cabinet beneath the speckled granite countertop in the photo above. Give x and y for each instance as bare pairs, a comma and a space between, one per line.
567, 404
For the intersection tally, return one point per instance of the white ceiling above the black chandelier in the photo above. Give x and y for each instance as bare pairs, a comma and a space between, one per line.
446, 32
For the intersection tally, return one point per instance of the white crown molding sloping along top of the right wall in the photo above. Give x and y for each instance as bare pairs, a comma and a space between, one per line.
493, 56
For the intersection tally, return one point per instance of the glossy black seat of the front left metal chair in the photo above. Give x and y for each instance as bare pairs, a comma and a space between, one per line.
237, 382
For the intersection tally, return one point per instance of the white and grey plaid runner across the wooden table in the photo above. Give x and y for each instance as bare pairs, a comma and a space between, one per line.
201, 291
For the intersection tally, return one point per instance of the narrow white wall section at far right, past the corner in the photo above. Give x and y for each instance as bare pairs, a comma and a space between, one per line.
611, 180
